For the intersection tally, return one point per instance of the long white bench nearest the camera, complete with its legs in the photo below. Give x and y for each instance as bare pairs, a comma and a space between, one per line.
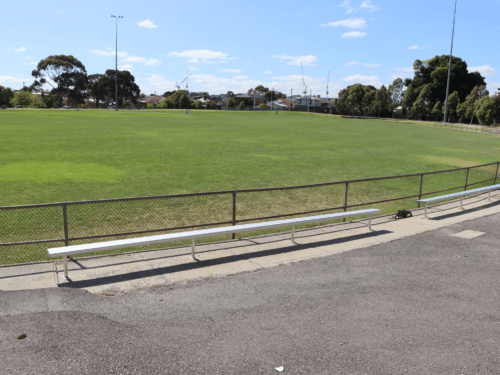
66, 251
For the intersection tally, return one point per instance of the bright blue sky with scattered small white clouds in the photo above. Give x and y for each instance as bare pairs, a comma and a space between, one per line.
236, 45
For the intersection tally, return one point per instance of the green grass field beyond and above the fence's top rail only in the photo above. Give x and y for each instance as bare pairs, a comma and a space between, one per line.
54, 156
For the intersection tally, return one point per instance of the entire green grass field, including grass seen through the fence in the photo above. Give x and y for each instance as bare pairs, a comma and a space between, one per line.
60, 156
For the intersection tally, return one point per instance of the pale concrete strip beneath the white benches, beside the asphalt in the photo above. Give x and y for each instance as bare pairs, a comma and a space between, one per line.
148, 269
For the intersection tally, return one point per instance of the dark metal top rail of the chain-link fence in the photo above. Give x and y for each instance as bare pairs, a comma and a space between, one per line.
40, 205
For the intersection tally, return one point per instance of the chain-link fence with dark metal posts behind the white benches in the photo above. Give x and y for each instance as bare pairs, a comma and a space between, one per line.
27, 231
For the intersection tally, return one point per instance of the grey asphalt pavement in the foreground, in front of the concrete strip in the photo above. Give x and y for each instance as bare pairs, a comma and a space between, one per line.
424, 304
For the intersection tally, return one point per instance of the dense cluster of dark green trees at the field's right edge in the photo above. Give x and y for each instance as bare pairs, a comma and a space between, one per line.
425, 95
